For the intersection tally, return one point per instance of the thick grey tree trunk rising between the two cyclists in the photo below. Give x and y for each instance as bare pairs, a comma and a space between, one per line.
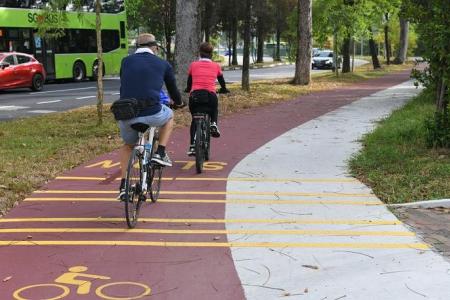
188, 37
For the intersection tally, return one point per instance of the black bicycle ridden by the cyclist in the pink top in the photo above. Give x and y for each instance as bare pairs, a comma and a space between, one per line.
202, 139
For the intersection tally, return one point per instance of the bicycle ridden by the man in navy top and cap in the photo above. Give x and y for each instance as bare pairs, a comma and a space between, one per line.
143, 176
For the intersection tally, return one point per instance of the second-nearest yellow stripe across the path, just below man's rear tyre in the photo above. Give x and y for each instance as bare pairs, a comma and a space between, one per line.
209, 231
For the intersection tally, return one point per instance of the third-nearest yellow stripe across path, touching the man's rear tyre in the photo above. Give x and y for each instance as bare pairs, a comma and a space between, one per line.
217, 221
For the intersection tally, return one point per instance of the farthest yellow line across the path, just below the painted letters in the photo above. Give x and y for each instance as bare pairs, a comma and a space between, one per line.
251, 179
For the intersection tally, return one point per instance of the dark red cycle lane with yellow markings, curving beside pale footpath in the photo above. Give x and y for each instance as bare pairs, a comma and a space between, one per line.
69, 239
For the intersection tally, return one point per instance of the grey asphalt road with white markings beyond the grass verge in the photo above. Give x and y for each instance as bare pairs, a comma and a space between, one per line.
64, 96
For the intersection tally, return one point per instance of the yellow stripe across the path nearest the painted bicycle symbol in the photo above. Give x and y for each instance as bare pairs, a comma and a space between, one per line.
417, 246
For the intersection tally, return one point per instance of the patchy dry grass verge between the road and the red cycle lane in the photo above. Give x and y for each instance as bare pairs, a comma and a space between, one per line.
35, 150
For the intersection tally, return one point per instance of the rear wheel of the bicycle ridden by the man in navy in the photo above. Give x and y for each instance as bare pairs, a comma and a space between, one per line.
133, 189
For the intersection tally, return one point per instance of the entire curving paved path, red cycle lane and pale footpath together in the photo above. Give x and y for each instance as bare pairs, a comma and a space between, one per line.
274, 215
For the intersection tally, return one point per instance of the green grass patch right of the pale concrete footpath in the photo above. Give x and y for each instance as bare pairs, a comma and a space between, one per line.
395, 161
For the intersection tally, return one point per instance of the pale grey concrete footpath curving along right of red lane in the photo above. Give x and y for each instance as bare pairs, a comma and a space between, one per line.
351, 245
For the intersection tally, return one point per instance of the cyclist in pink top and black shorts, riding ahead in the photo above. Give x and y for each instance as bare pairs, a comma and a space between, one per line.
201, 84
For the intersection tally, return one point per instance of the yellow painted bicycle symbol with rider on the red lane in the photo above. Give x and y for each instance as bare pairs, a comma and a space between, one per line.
84, 286
